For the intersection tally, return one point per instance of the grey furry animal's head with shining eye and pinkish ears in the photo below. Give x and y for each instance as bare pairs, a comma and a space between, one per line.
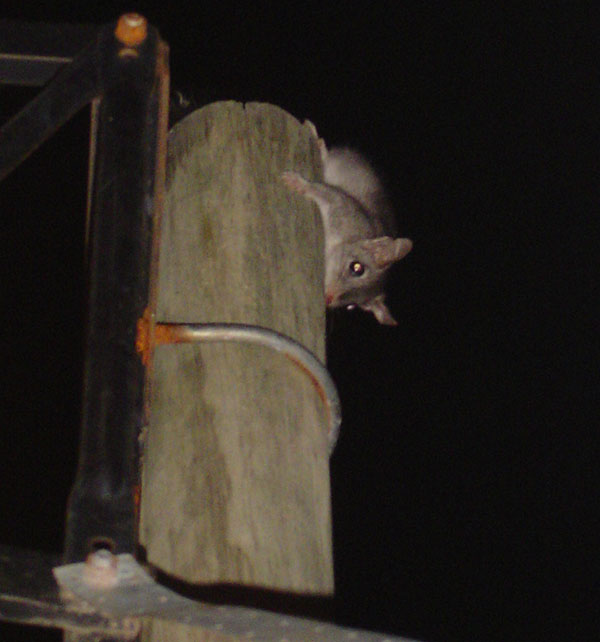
355, 274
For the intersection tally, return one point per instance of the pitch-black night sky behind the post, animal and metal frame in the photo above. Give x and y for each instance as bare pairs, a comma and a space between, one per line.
463, 484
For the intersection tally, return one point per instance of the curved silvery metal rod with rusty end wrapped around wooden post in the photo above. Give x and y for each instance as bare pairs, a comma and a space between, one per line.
294, 351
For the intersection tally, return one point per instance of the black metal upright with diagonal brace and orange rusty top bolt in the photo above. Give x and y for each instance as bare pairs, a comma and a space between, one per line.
123, 71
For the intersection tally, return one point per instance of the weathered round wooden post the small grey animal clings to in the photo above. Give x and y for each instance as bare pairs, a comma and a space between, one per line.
235, 482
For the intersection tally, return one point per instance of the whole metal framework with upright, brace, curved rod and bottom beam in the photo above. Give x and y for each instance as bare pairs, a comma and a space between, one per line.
125, 76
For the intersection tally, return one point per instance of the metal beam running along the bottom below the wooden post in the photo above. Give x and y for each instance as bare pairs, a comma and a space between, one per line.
108, 594
